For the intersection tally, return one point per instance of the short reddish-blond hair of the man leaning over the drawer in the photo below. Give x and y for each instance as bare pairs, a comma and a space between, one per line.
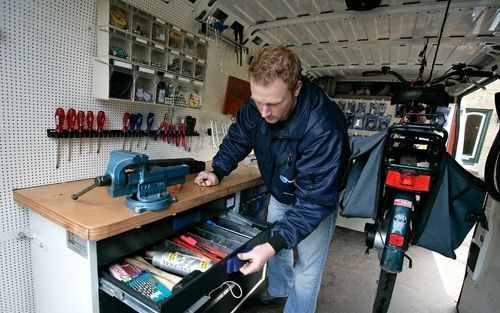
272, 62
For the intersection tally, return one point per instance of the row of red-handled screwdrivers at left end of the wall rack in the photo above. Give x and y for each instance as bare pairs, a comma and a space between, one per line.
77, 122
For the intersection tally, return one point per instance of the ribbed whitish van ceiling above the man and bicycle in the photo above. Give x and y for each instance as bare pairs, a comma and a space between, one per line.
333, 41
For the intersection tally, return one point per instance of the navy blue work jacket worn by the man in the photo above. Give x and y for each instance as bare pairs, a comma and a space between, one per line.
301, 160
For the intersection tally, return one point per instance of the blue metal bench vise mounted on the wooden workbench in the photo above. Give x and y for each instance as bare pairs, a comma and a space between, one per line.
129, 174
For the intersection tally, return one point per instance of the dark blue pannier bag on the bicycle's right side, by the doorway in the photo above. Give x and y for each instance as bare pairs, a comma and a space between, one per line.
454, 205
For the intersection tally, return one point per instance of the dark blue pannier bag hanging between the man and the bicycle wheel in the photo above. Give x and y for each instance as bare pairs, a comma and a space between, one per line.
360, 196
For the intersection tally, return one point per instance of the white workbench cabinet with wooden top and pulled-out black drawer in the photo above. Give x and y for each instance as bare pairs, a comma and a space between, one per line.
74, 241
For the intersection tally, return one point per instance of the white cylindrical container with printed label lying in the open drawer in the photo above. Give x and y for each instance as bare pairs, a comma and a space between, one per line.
178, 263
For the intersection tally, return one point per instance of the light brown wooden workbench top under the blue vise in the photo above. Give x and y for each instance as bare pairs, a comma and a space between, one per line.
96, 215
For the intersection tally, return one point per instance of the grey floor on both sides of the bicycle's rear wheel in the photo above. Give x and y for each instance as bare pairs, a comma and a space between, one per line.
349, 281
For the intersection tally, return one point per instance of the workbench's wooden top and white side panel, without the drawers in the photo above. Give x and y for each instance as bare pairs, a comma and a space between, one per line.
65, 234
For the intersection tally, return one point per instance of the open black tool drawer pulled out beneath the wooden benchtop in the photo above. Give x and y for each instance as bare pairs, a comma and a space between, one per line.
210, 291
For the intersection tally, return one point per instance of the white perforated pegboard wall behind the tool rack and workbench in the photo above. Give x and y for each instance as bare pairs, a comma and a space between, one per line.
47, 49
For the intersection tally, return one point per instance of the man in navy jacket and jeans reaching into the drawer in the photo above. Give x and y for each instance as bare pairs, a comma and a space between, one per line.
299, 137
